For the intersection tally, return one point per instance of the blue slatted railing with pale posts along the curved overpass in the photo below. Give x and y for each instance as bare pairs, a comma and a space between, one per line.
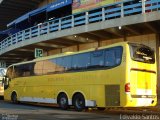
112, 11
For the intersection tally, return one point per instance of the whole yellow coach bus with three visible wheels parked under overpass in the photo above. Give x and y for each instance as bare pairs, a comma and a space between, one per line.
119, 75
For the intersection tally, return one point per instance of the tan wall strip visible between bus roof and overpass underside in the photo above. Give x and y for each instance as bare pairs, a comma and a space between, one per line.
149, 40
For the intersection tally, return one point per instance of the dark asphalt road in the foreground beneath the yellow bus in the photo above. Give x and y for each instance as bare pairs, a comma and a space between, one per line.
9, 111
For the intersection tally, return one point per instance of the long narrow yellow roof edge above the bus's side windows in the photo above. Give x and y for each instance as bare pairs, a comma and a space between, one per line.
70, 53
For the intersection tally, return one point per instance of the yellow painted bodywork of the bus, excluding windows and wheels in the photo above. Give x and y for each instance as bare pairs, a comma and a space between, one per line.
97, 85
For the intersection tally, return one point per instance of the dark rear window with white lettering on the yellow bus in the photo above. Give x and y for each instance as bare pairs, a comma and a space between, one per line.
142, 53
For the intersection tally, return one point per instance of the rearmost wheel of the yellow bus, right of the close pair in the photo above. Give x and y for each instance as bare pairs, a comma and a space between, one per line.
79, 102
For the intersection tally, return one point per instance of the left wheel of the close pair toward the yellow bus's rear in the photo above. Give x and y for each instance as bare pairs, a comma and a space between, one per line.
63, 101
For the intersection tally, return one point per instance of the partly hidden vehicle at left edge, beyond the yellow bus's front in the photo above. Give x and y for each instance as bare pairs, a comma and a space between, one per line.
2, 74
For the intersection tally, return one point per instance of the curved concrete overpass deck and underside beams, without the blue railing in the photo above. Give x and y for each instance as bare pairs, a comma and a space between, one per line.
130, 26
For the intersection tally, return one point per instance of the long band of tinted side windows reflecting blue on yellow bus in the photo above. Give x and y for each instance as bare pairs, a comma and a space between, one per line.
109, 57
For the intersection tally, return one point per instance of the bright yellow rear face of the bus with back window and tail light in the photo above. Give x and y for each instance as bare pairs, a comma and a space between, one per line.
142, 75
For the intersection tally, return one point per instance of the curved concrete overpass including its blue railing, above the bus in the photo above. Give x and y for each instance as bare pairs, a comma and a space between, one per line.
114, 21
